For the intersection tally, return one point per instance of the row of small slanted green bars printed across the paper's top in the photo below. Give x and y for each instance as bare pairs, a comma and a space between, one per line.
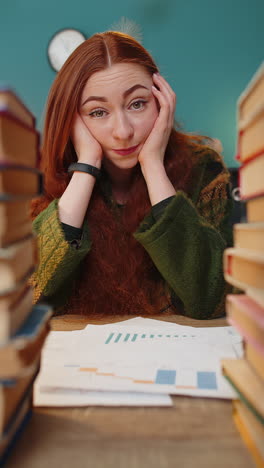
116, 337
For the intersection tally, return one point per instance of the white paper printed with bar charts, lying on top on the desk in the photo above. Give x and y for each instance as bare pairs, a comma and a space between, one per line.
141, 355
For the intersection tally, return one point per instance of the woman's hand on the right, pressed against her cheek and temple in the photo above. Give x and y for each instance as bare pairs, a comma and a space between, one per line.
154, 148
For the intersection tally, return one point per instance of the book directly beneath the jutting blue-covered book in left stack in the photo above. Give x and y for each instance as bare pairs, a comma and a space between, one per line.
12, 391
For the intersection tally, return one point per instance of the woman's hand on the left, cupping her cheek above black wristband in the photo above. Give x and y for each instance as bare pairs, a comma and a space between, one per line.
87, 148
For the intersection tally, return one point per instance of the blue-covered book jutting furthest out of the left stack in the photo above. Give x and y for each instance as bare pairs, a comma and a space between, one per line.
19, 354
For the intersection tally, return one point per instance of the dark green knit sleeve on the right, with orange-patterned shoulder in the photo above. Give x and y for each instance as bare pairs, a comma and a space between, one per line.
187, 242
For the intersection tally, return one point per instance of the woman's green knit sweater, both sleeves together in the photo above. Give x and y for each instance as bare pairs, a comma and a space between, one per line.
186, 244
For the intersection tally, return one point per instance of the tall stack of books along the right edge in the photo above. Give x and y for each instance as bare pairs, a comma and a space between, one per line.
244, 269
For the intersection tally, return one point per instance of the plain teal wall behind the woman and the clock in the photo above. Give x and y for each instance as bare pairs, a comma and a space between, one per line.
207, 49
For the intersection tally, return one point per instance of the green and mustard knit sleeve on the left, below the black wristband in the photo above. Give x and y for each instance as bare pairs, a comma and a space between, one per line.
58, 258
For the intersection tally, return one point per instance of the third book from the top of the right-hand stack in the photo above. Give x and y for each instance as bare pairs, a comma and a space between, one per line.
251, 177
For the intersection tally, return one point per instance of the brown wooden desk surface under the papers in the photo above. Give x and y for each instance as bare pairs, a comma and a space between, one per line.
195, 432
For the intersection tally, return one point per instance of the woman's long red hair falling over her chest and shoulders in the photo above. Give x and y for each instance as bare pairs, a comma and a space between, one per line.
117, 275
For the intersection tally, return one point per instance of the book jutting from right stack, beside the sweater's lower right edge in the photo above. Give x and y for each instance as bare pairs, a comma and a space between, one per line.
244, 268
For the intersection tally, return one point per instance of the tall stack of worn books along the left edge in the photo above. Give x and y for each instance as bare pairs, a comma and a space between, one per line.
23, 327
